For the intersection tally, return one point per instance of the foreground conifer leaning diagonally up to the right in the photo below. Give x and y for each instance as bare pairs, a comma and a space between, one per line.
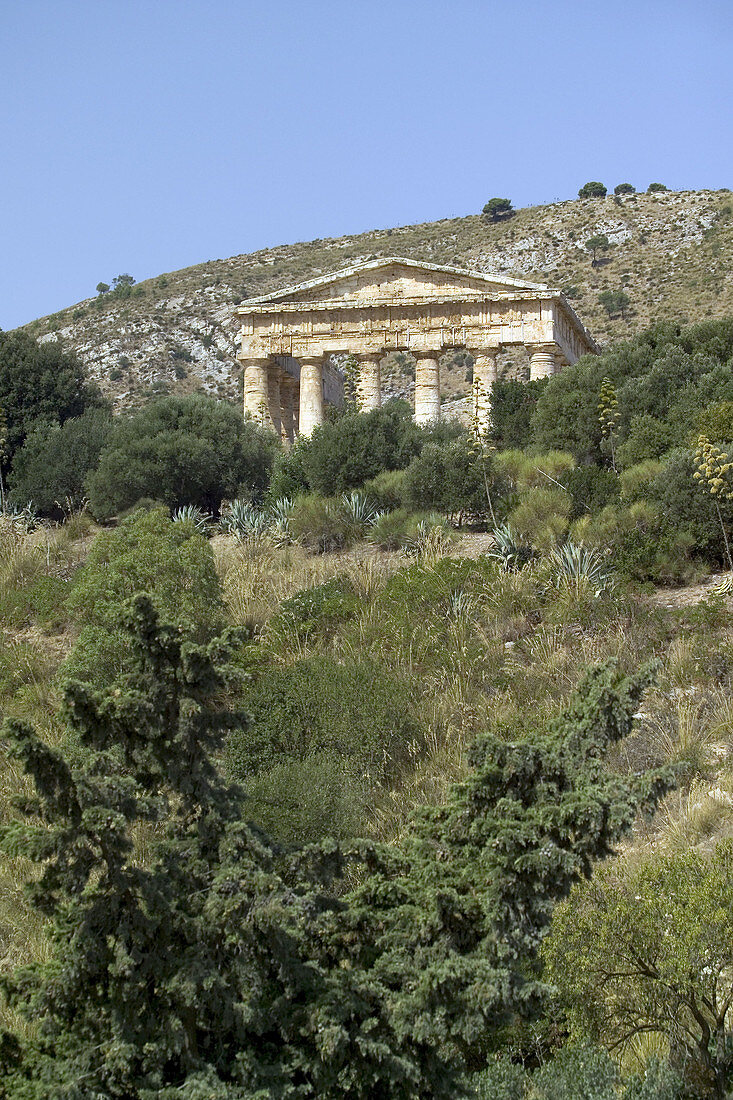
439, 945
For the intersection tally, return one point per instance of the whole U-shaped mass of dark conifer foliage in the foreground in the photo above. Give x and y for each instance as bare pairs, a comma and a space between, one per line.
223, 969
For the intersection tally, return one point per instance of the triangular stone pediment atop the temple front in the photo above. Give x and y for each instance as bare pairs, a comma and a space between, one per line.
399, 280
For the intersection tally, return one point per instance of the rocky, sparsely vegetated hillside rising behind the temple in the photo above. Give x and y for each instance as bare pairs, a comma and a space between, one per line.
672, 252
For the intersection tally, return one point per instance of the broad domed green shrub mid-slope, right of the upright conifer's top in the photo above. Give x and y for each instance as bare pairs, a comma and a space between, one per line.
356, 712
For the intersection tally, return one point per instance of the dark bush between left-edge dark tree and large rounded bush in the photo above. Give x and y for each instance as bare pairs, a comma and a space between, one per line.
52, 467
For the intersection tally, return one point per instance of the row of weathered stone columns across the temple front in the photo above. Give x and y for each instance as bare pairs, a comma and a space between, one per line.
272, 397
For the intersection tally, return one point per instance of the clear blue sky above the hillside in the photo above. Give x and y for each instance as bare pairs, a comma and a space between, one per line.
145, 137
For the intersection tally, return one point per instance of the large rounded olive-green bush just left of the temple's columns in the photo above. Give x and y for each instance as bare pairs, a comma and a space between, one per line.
182, 450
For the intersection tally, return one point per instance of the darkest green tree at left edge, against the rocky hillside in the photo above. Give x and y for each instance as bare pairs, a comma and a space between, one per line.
39, 382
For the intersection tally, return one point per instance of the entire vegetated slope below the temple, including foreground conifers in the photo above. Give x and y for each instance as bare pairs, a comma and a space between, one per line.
398, 765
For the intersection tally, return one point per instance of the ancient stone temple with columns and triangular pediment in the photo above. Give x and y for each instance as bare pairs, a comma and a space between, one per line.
368, 311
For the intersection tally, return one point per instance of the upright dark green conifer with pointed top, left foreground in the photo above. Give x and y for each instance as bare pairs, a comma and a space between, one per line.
173, 972
